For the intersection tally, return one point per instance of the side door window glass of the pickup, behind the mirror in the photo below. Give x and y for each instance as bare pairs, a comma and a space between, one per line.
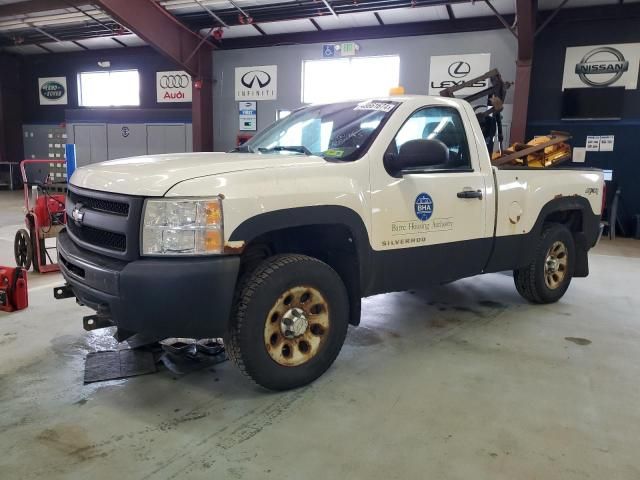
437, 123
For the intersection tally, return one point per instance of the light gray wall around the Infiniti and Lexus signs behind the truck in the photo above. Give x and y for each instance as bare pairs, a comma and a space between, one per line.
414, 55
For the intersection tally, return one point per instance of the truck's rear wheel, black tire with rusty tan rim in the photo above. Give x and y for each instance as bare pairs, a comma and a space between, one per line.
542, 282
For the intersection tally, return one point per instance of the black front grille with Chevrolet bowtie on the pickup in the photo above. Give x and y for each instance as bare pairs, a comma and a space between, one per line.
110, 222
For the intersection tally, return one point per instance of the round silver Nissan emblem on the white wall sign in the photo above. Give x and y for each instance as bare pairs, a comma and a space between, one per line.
599, 62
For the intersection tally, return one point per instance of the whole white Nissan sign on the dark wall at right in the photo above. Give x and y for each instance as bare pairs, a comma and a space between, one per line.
602, 66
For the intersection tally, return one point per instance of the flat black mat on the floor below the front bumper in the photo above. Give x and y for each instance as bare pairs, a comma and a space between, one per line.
111, 365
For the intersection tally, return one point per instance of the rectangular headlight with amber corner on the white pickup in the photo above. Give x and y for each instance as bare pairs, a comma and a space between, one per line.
182, 227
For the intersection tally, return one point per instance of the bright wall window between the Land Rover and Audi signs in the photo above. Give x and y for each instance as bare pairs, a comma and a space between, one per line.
109, 89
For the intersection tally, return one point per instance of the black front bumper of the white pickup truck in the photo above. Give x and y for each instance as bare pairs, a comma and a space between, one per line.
164, 297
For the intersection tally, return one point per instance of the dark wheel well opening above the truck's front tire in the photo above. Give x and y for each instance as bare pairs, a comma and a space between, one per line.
333, 244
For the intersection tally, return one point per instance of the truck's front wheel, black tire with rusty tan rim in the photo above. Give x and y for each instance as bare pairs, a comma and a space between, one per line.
289, 322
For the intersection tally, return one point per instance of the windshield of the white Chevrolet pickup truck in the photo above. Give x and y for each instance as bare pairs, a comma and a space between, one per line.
339, 131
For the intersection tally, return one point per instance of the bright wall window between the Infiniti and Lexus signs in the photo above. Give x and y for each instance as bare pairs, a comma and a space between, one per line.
340, 79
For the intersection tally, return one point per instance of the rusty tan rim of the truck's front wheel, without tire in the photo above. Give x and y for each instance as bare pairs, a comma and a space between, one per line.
297, 326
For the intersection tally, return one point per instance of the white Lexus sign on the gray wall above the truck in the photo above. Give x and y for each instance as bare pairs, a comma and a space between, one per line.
450, 70
